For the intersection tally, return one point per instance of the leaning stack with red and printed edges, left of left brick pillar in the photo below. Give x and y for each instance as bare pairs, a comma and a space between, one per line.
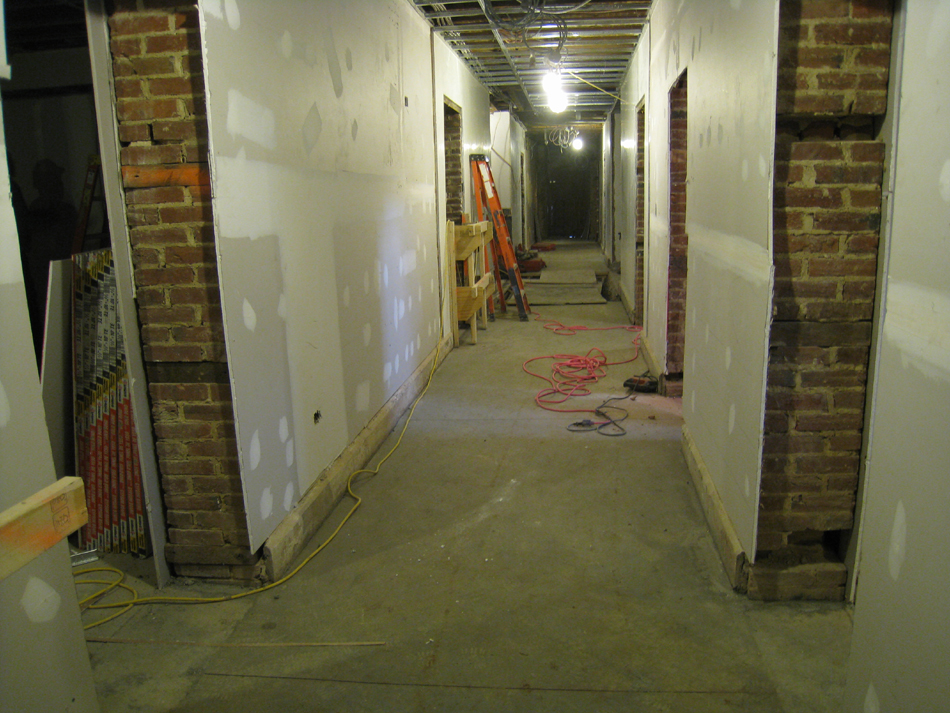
106, 446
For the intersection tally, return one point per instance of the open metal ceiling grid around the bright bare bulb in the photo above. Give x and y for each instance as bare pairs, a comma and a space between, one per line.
511, 44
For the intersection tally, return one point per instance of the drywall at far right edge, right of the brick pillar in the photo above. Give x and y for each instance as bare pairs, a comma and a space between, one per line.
901, 639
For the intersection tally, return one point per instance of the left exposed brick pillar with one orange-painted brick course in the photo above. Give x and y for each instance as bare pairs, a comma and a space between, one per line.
163, 135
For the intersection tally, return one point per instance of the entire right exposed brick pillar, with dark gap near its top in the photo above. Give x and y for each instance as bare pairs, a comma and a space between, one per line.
827, 198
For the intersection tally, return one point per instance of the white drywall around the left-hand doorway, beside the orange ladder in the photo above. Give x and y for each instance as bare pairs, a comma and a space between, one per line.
452, 80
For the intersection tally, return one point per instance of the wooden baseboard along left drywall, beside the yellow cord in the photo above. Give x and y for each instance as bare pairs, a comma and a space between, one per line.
294, 532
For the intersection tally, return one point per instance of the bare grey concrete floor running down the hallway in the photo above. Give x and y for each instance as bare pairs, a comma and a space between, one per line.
508, 565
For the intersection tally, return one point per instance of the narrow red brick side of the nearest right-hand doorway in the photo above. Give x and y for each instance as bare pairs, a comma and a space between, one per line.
676, 301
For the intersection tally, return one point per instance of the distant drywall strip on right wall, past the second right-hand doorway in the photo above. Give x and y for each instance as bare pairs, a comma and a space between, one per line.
634, 93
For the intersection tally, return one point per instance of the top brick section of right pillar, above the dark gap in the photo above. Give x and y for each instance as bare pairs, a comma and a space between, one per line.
834, 57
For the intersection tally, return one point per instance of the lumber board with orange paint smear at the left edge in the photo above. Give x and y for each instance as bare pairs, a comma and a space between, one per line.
34, 525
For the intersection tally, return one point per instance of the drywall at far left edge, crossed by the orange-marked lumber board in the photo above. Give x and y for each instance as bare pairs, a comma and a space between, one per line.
45, 665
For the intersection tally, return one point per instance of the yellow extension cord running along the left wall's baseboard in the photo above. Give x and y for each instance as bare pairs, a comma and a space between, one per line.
127, 604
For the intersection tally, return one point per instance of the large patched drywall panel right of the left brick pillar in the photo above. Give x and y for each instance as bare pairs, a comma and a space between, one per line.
323, 172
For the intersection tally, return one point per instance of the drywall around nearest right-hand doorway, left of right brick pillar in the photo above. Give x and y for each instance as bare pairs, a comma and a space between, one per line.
729, 49
